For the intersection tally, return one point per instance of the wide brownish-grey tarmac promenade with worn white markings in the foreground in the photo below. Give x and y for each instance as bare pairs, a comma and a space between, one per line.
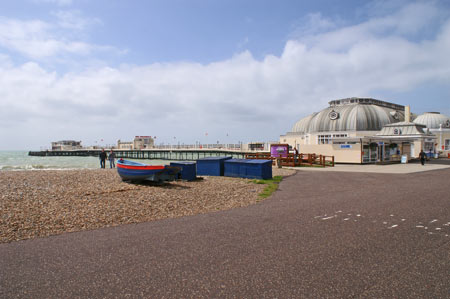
323, 234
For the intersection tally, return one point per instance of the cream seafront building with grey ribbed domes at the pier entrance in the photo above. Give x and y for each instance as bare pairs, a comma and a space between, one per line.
366, 130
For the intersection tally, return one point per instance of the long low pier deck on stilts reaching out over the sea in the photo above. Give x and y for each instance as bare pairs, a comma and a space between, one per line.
150, 154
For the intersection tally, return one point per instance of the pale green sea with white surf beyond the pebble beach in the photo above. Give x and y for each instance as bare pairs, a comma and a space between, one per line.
19, 160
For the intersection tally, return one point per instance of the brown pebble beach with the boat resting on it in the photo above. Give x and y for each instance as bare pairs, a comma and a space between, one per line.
48, 202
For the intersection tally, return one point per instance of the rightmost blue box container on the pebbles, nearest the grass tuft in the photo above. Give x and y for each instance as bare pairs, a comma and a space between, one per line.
248, 168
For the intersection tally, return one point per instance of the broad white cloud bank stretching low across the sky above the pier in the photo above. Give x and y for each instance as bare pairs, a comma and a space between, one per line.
242, 96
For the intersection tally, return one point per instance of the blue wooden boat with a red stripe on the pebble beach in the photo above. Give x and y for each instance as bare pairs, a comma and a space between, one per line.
135, 171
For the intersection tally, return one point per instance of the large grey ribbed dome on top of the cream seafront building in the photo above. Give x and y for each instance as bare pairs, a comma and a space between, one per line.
353, 114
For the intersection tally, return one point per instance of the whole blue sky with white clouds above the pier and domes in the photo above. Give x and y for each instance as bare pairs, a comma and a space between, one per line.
209, 71
